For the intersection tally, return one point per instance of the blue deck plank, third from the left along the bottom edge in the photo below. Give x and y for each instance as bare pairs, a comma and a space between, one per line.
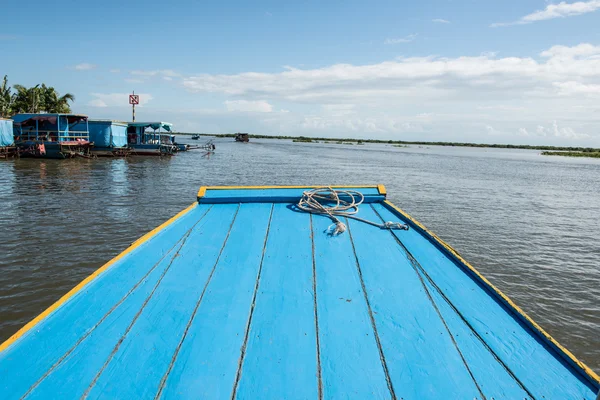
144, 354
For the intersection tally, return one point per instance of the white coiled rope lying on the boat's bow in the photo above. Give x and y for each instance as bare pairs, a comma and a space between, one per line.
313, 201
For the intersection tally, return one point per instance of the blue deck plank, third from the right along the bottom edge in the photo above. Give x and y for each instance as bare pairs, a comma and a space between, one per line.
423, 361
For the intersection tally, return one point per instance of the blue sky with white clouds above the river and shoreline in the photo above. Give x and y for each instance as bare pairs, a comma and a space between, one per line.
509, 71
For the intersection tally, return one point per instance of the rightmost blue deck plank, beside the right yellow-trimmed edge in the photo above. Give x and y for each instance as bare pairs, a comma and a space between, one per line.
510, 340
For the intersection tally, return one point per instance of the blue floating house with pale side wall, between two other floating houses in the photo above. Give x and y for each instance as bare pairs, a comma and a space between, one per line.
108, 137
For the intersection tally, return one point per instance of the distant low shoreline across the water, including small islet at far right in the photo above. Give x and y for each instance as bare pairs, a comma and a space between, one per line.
549, 150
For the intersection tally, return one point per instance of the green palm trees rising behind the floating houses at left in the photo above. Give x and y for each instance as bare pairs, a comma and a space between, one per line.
36, 99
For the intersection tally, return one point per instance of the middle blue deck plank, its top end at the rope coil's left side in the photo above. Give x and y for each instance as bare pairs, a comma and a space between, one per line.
281, 353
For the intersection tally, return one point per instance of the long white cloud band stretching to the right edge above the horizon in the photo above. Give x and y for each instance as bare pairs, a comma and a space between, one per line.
423, 77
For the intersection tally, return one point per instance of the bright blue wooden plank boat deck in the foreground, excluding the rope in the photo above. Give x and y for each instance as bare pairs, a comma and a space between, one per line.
241, 296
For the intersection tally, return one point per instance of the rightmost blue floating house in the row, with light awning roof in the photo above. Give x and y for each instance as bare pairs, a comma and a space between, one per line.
150, 138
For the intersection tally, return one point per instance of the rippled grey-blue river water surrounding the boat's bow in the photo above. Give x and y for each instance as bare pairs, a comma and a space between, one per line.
528, 222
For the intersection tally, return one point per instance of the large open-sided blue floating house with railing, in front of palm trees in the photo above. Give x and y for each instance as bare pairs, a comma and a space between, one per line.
52, 135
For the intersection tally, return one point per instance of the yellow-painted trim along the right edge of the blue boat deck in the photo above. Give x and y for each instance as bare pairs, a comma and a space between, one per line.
591, 374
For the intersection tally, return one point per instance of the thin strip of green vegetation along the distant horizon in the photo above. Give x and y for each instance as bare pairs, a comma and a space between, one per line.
405, 143
